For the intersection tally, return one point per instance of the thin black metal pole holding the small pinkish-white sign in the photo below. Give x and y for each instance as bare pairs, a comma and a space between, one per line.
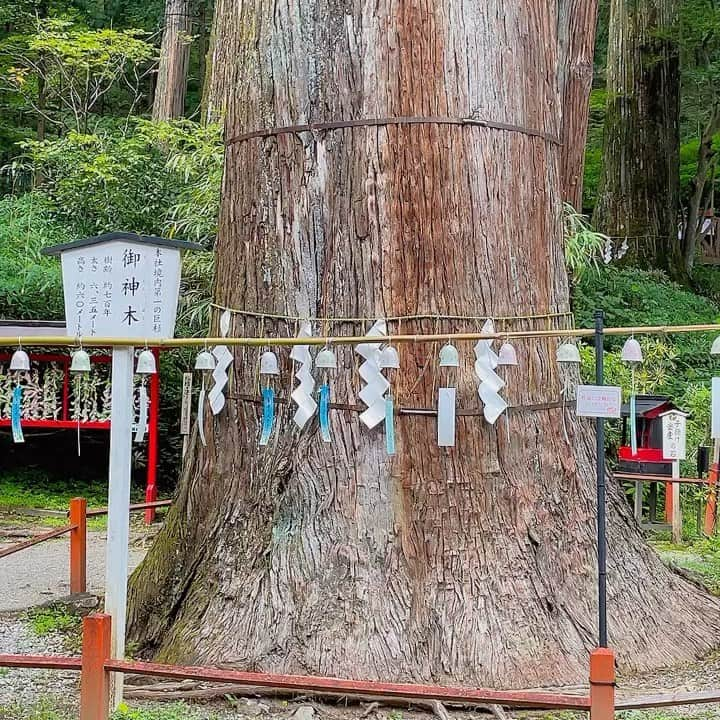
600, 436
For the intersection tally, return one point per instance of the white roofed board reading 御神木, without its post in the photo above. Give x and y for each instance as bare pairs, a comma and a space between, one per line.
121, 285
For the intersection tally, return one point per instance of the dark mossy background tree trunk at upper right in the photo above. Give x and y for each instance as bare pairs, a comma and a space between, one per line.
639, 193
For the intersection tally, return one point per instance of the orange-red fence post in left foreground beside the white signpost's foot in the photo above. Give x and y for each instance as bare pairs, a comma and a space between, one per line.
95, 679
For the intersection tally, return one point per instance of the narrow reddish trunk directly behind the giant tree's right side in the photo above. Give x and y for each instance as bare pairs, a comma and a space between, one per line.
576, 36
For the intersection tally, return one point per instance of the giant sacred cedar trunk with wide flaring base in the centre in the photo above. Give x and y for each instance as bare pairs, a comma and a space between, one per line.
474, 564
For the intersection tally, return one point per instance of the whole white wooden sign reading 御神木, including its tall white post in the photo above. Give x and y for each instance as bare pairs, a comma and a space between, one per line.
120, 286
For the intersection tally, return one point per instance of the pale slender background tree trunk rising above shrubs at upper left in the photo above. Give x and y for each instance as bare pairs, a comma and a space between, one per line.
169, 102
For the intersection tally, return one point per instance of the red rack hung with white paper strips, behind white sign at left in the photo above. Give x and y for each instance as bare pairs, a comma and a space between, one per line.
53, 398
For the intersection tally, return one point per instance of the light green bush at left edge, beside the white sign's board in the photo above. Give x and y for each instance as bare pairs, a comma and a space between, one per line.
30, 283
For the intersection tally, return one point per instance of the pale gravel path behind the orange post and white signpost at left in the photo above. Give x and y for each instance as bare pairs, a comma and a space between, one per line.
40, 573
